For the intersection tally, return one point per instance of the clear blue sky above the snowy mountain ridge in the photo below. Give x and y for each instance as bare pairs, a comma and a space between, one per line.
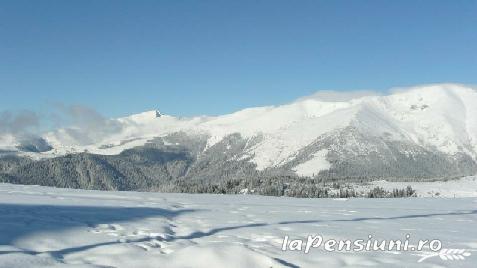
214, 57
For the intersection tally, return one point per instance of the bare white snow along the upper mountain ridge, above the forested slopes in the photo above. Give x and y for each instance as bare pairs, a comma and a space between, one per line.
442, 116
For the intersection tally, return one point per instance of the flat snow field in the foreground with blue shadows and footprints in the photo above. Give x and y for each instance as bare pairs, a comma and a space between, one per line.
47, 227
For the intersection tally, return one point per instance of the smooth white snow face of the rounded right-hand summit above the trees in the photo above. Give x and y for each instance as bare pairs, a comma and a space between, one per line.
443, 116
